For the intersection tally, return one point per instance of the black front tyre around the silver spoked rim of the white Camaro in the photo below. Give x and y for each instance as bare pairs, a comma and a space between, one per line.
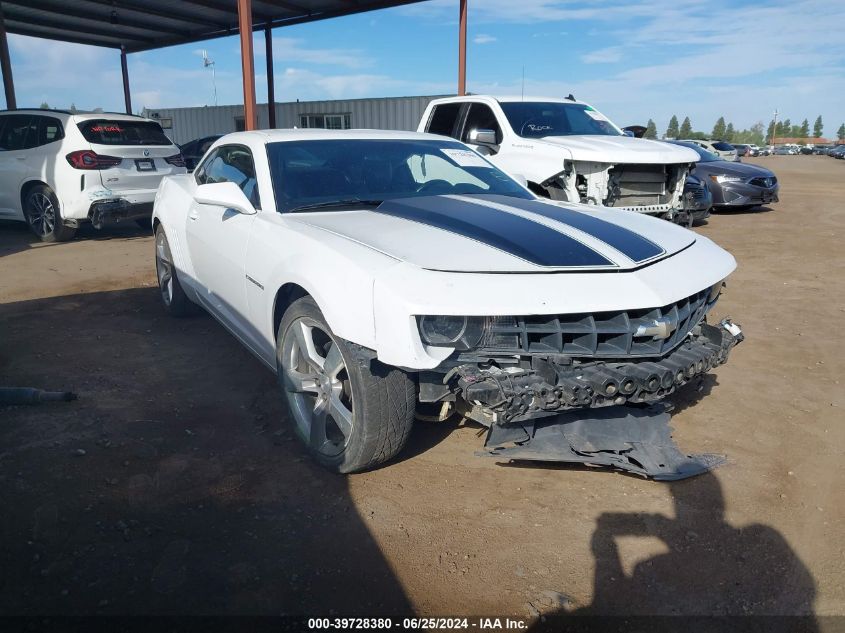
382, 399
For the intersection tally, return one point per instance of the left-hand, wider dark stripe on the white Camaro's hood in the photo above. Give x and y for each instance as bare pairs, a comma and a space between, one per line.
511, 233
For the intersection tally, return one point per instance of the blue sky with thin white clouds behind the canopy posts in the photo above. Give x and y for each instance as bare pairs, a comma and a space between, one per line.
701, 58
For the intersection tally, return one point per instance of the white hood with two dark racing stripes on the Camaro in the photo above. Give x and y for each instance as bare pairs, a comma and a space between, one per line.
504, 234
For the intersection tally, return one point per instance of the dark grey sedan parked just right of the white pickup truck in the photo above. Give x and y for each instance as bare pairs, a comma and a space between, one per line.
734, 185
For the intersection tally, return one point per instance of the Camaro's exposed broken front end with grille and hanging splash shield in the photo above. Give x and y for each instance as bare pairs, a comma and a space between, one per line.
585, 388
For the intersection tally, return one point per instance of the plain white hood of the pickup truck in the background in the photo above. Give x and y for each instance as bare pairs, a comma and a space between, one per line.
621, 149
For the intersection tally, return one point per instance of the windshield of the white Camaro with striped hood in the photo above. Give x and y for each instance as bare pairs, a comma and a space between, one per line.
311, 173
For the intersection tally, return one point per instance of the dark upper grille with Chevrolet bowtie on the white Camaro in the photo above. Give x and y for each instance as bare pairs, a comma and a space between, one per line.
603, 334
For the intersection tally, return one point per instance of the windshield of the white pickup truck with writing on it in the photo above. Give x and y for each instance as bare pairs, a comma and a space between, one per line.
534, 119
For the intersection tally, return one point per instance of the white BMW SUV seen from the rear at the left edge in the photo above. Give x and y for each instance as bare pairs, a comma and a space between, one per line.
59, 169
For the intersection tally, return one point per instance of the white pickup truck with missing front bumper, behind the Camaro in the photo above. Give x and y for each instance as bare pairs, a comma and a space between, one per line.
567, 150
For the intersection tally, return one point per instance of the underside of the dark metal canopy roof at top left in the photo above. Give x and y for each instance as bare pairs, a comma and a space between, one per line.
140, 25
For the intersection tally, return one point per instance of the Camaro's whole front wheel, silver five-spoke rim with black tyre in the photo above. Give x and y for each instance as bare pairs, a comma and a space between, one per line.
350, 411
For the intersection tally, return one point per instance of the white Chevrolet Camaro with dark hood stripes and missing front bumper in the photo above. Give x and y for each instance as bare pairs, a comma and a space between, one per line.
388, 274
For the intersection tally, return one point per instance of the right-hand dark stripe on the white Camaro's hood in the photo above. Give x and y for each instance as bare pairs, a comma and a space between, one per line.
626, 241
